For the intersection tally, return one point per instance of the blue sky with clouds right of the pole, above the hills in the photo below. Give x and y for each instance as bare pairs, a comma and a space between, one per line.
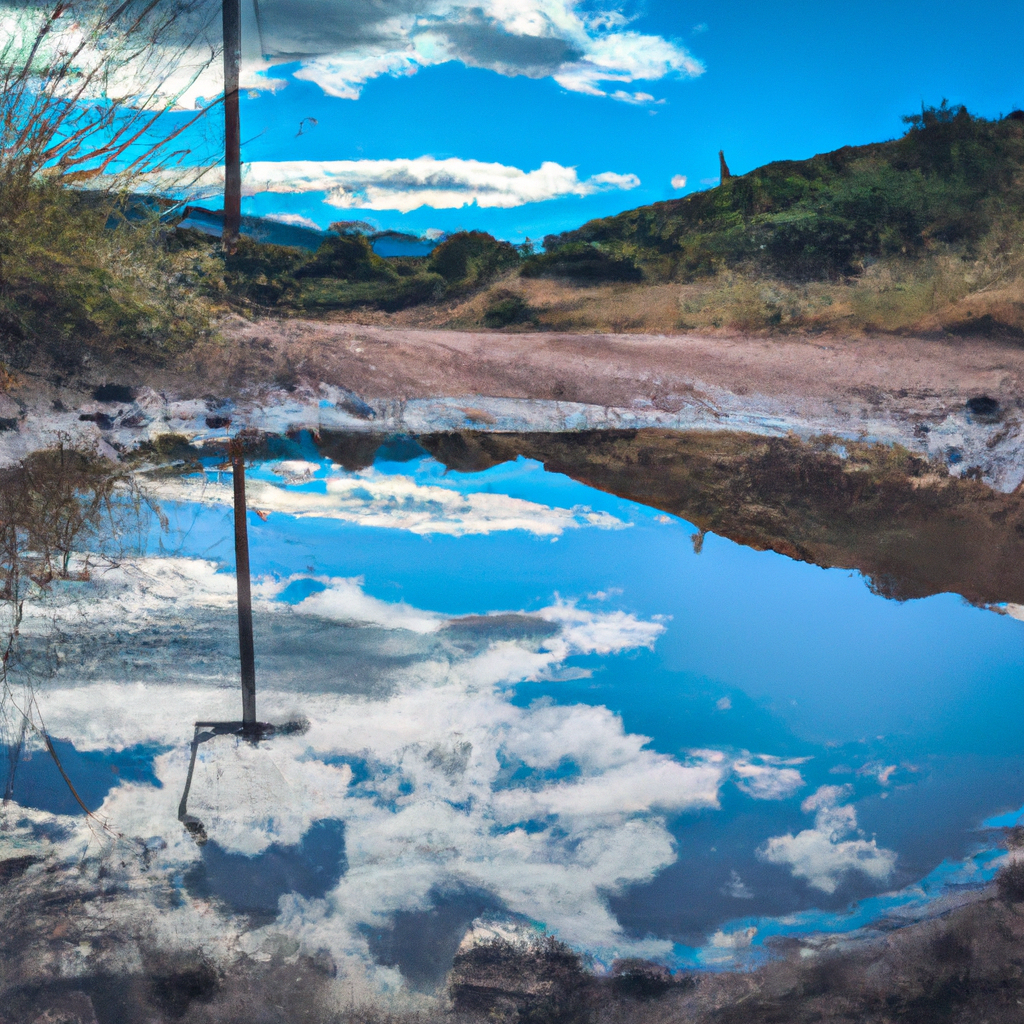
582, 110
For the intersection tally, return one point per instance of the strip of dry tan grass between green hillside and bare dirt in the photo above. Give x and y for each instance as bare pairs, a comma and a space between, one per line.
942, 294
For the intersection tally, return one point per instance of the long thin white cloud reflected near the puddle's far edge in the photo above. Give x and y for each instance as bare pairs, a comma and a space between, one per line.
397, 502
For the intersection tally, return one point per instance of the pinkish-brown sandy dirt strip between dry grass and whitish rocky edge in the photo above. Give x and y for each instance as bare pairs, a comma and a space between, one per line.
620, 370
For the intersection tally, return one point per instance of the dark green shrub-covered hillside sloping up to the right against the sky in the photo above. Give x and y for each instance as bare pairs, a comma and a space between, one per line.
948, 185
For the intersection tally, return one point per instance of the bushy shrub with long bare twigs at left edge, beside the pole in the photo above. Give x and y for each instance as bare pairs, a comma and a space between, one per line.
87, 93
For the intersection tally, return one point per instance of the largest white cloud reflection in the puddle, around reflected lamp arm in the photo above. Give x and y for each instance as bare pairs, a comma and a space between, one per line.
436, 805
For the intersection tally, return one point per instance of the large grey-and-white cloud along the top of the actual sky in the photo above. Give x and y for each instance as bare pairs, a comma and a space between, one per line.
342, 47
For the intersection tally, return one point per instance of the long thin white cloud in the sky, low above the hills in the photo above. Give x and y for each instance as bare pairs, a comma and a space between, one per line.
410, 184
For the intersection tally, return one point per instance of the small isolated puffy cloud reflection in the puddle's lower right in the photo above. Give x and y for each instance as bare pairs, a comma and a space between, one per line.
823, 856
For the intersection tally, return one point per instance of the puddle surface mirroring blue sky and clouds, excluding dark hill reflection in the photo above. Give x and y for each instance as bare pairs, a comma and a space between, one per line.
530, 701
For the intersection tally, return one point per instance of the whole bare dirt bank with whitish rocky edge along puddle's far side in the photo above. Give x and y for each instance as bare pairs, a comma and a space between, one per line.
955, 403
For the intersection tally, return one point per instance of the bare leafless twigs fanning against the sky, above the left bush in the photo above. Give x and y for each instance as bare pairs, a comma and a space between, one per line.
86, 83
